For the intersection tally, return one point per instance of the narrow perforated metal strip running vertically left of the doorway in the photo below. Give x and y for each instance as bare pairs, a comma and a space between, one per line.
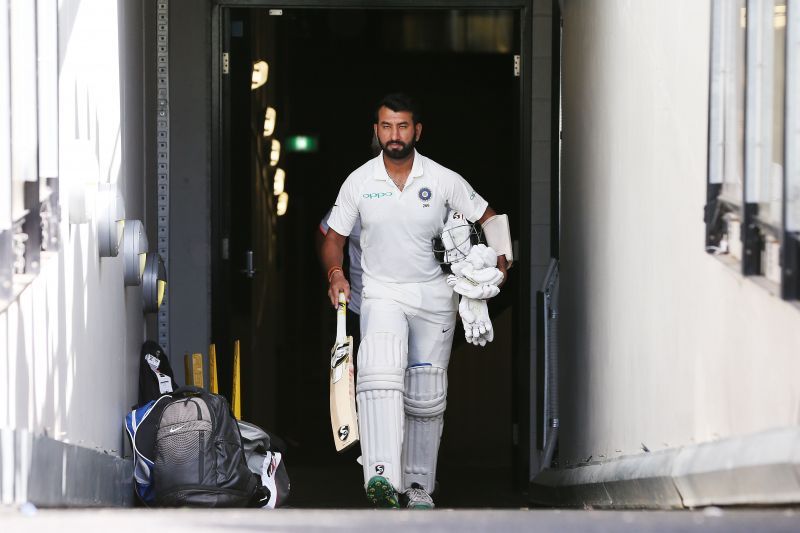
162, 154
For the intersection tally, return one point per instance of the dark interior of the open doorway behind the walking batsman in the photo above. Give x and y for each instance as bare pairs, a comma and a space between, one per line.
325, 70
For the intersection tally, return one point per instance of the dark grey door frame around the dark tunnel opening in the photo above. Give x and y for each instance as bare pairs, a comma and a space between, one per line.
523, 330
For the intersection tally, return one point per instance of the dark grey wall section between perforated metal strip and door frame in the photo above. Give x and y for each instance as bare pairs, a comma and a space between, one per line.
189, 266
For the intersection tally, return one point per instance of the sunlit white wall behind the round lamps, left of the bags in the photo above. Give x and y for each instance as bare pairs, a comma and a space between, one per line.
69, 342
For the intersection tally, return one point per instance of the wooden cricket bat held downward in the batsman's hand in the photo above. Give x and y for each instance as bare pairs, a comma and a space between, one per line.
344, 421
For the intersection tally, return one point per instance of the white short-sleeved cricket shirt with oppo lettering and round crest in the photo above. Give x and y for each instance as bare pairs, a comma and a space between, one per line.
397, 227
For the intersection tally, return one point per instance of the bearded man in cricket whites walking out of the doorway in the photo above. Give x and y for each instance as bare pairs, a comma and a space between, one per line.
408, 310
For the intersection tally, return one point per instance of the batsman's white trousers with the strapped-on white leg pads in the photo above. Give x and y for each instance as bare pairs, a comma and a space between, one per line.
407, 335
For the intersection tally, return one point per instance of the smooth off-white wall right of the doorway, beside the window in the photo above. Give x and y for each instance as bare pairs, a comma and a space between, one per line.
663, 345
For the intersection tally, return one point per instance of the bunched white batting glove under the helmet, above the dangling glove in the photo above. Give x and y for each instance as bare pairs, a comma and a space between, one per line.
477, 276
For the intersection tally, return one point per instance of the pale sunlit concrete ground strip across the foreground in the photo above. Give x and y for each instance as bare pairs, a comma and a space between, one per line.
27, 518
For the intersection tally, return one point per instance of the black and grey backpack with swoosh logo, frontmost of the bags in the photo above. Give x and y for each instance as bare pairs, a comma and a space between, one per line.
198, 456
